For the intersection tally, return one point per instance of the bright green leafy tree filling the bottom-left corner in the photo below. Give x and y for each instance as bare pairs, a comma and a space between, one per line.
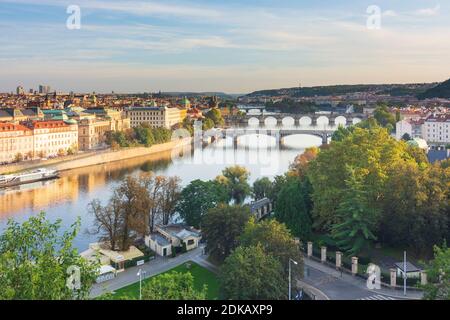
36, 260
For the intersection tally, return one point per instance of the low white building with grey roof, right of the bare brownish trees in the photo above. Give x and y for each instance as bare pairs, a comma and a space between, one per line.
165, 238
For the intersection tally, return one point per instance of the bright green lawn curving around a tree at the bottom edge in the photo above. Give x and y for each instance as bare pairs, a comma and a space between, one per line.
201, 276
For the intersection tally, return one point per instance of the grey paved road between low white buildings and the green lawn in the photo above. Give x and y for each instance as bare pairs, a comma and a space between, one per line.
154, 267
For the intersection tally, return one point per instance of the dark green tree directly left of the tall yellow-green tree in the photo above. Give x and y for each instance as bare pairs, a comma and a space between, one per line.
293, 207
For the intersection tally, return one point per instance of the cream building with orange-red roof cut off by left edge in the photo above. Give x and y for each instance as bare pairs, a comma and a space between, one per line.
16, 140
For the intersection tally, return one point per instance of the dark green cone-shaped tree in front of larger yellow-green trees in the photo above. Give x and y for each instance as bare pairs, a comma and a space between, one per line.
358, 219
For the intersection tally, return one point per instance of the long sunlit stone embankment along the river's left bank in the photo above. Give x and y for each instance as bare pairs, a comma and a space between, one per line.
95, 158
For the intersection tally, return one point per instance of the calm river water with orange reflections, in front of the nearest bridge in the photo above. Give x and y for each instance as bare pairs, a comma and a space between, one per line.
67, 198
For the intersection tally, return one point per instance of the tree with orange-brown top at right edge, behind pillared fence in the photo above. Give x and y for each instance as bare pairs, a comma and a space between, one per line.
415, 207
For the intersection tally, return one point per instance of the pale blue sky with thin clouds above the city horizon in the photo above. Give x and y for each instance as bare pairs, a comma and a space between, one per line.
229, 46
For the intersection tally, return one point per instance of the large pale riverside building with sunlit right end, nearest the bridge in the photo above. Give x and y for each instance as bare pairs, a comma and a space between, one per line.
156, 117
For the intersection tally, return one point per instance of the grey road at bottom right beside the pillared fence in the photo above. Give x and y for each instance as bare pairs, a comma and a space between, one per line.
337, 286
